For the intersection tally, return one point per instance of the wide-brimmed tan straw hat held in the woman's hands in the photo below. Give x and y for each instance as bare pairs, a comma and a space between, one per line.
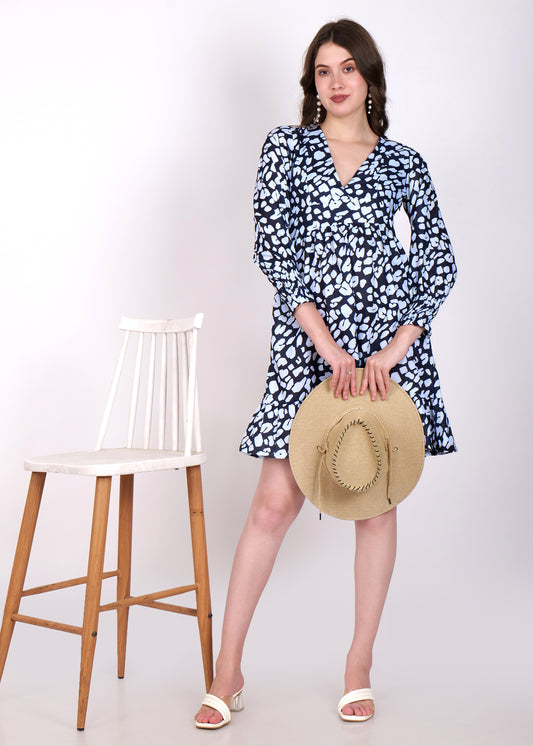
356, 458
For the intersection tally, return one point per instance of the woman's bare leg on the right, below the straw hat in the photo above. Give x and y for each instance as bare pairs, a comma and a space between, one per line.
375, 552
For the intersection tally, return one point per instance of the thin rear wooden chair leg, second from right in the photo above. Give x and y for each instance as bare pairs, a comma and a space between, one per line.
125, 525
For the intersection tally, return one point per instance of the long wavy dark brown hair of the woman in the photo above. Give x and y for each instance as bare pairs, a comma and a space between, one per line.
361, 45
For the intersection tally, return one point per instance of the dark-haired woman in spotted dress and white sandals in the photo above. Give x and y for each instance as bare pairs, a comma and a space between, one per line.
347, 295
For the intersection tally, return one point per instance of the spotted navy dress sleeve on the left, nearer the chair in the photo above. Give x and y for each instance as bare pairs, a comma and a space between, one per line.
274, 250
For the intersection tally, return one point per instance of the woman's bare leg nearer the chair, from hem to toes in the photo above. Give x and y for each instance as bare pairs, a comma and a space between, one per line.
277, 502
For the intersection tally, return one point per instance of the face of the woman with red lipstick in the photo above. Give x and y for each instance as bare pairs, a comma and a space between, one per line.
339, 84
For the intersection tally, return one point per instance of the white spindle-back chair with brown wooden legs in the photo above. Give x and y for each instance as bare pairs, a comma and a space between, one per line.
172, 350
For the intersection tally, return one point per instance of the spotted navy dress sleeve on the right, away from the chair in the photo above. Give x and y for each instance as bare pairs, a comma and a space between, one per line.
432, 268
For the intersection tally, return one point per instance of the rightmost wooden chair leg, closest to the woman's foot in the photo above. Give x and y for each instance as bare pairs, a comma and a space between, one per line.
201, 570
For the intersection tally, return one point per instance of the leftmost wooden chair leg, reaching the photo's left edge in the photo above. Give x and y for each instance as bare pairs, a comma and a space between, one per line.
20, 564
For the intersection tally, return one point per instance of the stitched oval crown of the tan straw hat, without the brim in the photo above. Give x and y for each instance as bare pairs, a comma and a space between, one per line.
356, 450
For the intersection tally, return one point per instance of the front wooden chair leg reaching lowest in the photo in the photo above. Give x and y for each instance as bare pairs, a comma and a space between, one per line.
93, 592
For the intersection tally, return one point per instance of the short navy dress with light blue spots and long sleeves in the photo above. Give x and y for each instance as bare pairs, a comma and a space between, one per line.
335, 246
